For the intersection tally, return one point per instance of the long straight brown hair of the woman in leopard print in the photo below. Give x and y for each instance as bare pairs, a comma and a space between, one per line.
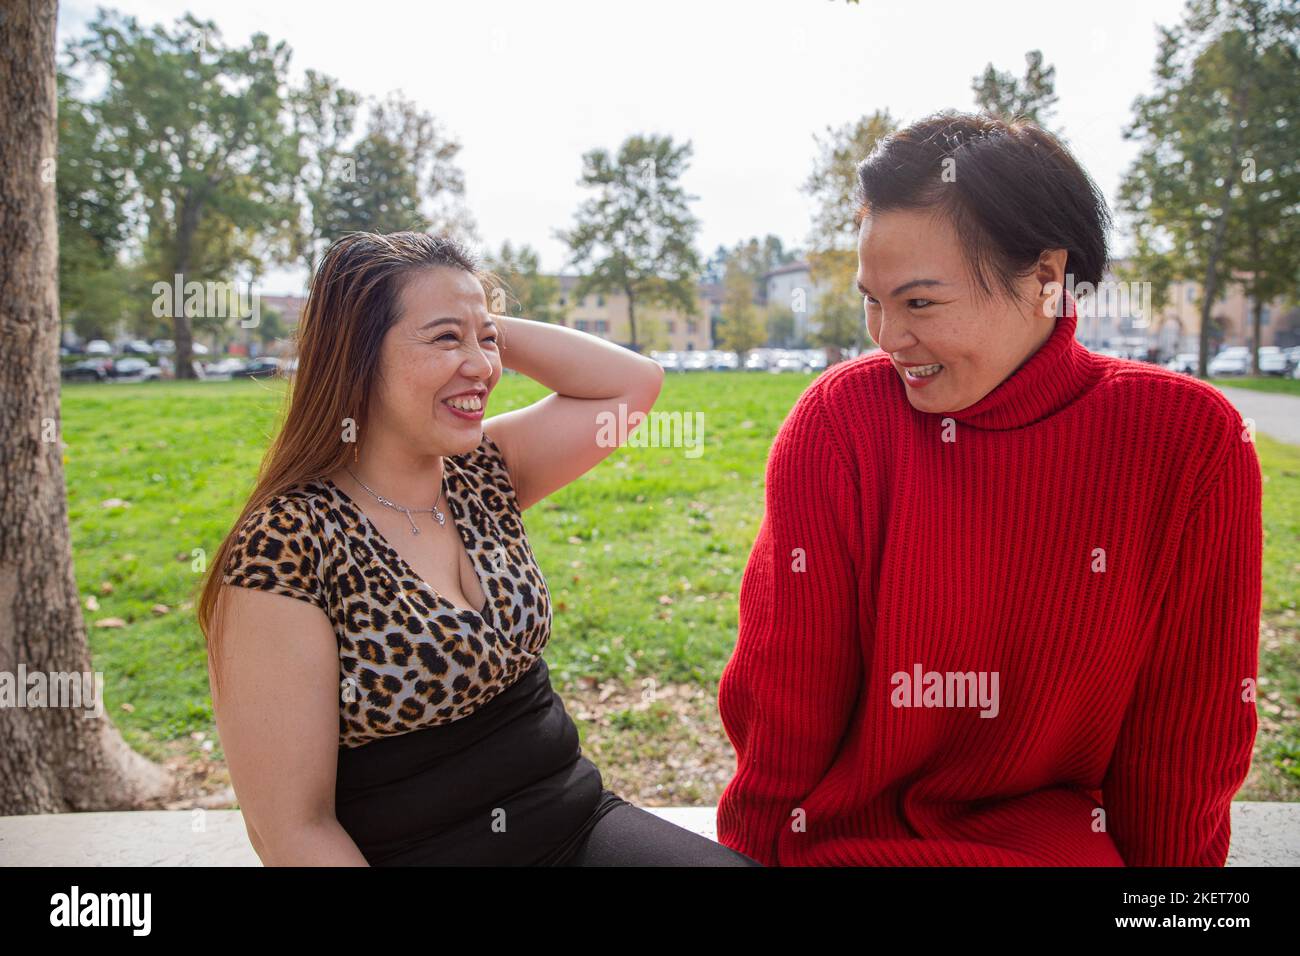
352, 305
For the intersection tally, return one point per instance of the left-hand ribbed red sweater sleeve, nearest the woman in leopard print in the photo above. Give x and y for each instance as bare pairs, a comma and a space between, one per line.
788, 693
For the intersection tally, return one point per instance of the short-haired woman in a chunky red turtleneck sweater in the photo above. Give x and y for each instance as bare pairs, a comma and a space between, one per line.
1004, 603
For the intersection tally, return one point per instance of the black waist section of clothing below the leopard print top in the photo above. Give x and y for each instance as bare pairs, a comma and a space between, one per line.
506, 786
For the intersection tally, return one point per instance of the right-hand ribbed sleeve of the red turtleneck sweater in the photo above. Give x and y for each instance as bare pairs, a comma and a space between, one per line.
1186, 742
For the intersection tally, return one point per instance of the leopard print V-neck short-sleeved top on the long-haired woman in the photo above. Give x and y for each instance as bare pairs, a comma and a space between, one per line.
408, 657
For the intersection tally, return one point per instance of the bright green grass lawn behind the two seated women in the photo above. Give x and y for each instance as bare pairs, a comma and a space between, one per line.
643, 556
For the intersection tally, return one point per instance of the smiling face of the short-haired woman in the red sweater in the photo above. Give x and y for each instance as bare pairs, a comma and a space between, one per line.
950, 345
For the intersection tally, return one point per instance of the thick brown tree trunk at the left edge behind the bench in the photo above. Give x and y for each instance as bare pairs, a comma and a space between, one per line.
53, 759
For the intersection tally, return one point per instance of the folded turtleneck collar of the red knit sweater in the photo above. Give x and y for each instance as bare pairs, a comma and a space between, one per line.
1051, 379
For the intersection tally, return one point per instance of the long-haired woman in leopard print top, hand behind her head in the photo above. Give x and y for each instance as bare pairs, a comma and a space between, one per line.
376, 618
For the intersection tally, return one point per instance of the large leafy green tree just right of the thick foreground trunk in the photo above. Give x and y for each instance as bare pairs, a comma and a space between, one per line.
201, 128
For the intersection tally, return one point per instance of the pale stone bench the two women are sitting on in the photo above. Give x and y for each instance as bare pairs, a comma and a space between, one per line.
1264, 834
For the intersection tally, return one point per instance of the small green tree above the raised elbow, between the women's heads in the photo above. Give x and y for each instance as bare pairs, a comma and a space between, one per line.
636, 235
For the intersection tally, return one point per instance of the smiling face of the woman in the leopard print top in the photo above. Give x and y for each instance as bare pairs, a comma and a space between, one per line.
443, 347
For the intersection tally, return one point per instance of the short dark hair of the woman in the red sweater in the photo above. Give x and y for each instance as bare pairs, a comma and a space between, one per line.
1009, 188
